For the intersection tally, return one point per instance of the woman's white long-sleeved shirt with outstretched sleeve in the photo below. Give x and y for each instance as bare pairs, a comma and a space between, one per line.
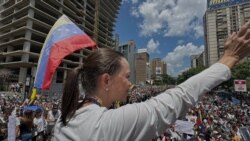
141, 121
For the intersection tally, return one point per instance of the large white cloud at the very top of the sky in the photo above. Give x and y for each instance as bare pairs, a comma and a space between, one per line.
171, 17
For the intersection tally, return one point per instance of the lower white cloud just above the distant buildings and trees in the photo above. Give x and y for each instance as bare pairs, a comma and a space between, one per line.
175, 59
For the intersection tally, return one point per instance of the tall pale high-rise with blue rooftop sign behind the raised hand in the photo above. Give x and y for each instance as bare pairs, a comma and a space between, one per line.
221, 19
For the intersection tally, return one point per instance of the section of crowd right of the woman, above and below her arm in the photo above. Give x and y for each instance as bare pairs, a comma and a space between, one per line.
213, 118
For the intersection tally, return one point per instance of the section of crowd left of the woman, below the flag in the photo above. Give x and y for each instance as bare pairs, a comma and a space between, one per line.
32, 122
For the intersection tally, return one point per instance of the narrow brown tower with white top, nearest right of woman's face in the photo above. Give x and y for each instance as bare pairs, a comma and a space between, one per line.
142, 60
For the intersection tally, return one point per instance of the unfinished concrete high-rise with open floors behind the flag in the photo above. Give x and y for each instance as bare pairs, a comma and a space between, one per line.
24, 25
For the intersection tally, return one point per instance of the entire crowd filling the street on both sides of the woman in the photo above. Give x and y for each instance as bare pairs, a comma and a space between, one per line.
213, 118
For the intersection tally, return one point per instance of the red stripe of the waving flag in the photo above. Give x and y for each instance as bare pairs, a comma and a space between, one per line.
62, 49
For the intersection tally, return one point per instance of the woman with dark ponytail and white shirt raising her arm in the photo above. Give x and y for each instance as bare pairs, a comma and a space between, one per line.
105, 78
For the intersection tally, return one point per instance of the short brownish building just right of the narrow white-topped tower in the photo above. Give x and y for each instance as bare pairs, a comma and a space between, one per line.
158, 68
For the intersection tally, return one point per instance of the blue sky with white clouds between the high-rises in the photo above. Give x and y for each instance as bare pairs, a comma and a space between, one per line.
170, 29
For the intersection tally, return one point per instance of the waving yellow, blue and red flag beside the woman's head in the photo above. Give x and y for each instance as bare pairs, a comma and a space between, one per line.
63, 39
